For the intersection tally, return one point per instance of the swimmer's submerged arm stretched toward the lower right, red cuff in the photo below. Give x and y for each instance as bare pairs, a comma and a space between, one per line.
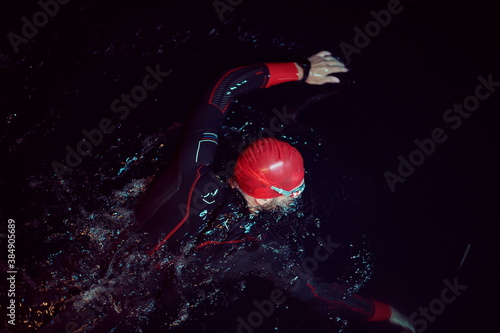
236, 258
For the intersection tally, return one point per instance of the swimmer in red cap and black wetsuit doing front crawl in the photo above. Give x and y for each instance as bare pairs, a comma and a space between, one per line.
188, 200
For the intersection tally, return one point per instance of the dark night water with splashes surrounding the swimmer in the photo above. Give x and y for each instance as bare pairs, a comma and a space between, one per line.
68, 229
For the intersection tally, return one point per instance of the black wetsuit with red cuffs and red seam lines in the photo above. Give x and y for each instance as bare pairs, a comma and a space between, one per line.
188, 204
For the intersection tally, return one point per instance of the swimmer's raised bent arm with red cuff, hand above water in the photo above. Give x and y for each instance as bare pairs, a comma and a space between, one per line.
201, 132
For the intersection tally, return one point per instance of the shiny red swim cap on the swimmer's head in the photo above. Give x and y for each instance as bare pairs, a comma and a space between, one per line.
268, 168
